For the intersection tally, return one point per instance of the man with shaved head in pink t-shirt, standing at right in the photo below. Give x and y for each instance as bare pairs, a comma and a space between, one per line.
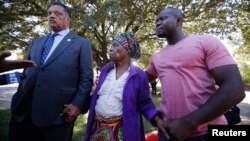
188, 67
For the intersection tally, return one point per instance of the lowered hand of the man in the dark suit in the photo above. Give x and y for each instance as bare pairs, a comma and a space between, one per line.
70, 112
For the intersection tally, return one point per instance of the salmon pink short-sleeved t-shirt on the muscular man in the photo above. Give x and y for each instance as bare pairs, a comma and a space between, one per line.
183, 70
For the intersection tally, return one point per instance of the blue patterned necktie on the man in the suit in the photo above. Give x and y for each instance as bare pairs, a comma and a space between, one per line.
47, 46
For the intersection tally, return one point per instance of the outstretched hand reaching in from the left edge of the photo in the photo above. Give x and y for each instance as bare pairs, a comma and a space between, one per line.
6, 65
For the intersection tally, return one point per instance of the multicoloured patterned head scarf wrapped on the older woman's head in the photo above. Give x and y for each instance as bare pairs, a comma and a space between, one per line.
128, 41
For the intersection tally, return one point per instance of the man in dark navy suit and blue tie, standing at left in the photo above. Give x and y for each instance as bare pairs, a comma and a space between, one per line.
52, 95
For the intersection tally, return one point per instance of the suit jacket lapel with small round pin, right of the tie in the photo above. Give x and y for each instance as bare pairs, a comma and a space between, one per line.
66, 41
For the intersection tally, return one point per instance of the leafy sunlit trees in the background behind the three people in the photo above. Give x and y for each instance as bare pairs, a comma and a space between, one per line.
101, 20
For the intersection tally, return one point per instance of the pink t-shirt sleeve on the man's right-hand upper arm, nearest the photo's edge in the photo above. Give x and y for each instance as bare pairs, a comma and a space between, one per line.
216, 53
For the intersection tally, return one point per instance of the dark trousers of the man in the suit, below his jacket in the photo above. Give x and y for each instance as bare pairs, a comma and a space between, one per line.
27, 131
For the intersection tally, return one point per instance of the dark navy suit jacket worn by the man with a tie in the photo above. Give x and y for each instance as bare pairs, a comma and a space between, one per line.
66, 77
